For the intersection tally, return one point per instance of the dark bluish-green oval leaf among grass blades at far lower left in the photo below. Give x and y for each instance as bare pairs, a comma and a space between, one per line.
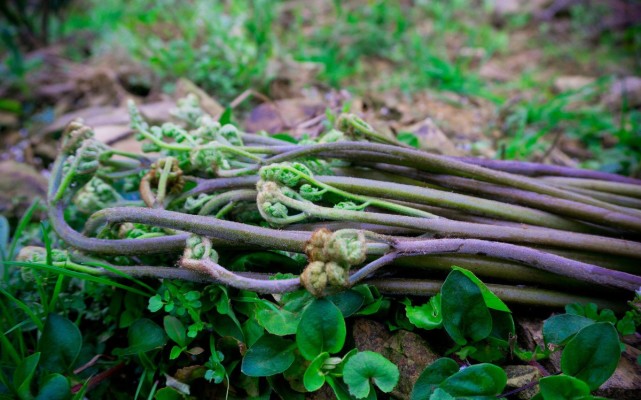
59, 344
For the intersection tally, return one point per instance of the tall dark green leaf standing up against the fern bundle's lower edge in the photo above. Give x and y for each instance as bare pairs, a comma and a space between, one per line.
465, 314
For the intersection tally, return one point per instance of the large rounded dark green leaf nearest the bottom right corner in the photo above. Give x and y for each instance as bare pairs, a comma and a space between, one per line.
593, 354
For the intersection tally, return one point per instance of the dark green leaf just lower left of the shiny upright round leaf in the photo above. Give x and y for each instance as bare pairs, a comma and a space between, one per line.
270, 355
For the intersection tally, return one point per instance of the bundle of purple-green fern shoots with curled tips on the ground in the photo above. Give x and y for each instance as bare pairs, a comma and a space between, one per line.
350, 206
